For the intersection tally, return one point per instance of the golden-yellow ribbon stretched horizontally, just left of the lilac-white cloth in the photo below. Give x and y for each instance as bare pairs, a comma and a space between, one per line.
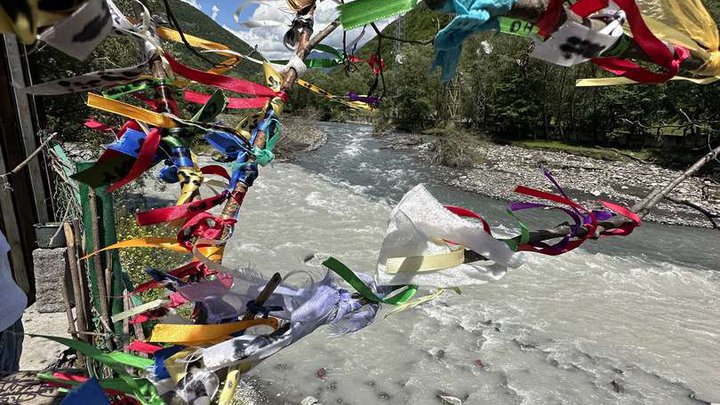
198, 334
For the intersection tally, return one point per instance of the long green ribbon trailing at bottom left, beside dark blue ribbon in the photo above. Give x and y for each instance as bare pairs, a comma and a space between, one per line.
140, 388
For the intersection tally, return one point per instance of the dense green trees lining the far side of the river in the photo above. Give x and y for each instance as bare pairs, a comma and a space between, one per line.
496, 95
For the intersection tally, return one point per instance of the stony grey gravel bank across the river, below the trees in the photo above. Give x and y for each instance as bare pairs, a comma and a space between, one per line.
625, 180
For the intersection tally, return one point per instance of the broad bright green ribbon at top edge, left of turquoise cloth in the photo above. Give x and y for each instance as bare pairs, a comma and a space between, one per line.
362, 12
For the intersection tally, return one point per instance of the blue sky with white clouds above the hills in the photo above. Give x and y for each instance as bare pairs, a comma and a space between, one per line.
269, 39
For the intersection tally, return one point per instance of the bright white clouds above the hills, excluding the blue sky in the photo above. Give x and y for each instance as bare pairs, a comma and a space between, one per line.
269, 39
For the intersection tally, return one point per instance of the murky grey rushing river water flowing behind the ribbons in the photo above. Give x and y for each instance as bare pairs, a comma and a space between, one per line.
630, 320
